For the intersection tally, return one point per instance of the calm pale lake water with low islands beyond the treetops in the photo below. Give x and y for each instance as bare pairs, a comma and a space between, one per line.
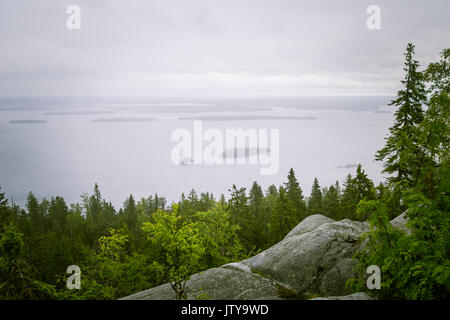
63, 146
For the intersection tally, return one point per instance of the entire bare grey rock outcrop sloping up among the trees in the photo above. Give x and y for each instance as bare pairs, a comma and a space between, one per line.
315, 258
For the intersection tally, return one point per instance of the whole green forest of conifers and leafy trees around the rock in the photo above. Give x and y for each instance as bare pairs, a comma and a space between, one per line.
148, 242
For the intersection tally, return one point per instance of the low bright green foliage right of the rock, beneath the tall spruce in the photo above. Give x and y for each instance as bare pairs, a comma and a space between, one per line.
414, 266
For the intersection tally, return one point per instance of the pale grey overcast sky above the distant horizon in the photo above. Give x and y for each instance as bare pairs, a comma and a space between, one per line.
211, 48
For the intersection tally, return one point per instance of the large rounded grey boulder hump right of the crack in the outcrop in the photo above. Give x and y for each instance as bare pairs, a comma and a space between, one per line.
314, 262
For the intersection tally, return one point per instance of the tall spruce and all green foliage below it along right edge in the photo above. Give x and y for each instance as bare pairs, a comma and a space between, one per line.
414, 265
